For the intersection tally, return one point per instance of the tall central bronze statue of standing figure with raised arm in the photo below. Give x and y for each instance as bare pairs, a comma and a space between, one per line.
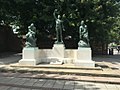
59, 27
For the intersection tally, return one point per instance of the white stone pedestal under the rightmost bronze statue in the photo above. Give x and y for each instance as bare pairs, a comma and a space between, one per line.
84, 58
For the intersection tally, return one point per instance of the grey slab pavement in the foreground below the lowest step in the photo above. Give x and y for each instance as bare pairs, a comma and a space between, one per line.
14, 82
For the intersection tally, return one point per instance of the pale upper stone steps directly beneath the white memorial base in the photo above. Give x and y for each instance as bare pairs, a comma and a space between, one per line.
72, 70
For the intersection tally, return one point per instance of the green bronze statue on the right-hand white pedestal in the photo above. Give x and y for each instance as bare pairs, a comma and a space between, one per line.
83, 35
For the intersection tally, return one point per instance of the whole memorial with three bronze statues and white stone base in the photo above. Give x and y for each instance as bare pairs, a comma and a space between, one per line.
82, 56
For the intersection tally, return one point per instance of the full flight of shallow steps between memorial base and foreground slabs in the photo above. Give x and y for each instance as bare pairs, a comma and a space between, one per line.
65, 72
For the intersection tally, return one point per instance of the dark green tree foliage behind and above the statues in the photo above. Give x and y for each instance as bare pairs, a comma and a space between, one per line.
101, 16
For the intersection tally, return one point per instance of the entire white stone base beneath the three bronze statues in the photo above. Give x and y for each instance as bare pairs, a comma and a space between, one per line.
57, 55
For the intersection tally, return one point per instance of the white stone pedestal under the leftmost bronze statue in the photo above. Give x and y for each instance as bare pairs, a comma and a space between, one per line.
29, 56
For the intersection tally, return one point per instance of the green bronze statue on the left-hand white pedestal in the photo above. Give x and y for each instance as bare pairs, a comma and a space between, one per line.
30, 36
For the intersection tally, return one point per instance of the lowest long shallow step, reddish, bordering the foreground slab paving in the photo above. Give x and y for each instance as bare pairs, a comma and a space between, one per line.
28, 75
